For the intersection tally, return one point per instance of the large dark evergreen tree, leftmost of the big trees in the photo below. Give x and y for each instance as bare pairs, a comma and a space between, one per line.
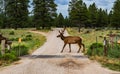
17, 13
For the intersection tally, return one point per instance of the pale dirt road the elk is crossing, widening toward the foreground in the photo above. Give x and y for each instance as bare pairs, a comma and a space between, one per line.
49, 60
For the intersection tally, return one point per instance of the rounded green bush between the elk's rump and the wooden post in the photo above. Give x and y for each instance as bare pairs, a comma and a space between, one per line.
95, 49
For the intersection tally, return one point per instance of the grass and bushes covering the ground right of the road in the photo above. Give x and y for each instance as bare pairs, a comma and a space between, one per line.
93, 40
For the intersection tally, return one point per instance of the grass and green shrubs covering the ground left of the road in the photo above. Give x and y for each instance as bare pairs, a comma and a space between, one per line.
29, 43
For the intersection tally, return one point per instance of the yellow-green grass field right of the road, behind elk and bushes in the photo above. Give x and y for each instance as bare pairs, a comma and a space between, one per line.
90, 38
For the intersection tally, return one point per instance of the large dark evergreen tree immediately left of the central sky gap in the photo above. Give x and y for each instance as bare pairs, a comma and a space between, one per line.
44, 13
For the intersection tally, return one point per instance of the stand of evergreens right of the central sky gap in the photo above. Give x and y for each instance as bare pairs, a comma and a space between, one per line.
93, 16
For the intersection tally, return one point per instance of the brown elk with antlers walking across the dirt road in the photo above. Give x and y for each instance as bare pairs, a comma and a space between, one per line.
71, 40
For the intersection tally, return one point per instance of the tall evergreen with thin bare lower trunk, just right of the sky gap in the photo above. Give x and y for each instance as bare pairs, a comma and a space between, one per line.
77, 12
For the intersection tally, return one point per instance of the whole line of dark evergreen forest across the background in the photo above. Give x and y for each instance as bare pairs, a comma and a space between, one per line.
15, 14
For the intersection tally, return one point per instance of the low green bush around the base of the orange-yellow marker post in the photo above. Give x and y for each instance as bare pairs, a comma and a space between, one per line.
20, 50
